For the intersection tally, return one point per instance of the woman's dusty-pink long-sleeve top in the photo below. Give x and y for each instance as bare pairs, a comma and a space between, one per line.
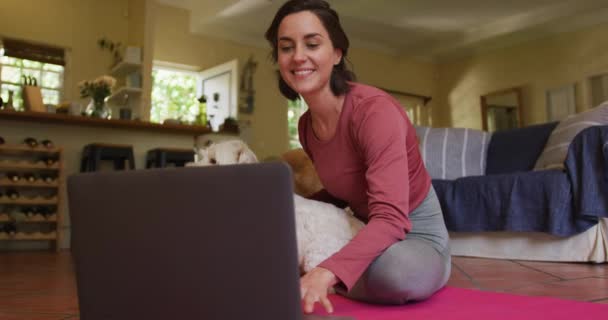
374, 165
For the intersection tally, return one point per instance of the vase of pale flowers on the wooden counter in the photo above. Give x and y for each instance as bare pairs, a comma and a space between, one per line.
98, 90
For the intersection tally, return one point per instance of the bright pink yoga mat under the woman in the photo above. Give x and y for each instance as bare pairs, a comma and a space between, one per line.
456, 303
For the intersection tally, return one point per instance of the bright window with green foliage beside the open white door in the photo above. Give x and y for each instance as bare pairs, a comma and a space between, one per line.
173, 96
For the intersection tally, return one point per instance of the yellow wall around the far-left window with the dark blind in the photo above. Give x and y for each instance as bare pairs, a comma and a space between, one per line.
72, 24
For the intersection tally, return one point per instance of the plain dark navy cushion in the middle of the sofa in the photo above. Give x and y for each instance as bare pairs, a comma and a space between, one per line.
516, 150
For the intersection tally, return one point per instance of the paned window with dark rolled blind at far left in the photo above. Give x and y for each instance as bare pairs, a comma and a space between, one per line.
19, 59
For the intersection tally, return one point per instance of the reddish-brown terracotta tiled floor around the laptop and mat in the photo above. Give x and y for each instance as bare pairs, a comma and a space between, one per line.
42, 286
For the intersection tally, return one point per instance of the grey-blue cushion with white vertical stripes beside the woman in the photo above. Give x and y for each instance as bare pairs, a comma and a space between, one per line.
450, 153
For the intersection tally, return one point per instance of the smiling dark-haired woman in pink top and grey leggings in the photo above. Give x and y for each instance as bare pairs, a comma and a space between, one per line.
365, 151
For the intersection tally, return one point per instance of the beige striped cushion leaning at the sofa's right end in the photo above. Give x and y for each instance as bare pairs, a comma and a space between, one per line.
556, 149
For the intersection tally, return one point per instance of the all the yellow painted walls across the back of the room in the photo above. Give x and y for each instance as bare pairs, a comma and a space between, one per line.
455, 86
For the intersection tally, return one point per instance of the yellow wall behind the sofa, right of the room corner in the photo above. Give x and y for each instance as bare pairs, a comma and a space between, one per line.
537, 66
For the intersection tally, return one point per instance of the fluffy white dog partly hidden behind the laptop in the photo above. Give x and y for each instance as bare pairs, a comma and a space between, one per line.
321, 228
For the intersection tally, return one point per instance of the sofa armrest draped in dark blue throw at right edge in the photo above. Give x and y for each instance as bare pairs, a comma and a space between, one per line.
587, 168
